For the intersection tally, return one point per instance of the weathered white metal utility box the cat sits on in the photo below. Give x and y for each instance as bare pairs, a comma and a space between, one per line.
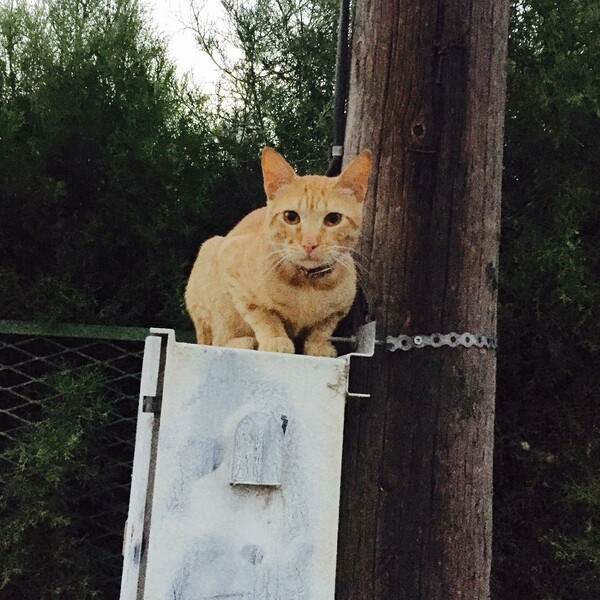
235, 488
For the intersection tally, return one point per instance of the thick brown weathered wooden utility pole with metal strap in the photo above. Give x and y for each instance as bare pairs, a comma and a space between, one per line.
427, 96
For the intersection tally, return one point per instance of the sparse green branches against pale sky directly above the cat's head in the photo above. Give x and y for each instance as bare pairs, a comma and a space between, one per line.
279, 88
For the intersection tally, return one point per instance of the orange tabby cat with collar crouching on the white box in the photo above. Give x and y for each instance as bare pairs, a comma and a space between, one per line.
285, 270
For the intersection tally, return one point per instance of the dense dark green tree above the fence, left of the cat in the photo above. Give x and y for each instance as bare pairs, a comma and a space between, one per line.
105, 168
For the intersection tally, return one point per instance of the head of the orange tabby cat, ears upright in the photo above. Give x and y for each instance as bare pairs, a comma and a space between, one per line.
314, 220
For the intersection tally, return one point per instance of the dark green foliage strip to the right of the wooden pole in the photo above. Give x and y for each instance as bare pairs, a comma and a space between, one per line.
547, 543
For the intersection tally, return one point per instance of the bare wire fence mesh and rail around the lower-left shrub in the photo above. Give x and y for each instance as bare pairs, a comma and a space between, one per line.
31, 357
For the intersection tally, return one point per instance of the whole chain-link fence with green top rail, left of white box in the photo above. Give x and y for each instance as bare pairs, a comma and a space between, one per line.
34, 362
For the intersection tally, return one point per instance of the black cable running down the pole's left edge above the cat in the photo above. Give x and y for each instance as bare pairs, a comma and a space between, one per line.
342, 70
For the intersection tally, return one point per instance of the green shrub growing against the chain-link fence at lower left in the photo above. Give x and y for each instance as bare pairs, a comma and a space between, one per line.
44, 549
